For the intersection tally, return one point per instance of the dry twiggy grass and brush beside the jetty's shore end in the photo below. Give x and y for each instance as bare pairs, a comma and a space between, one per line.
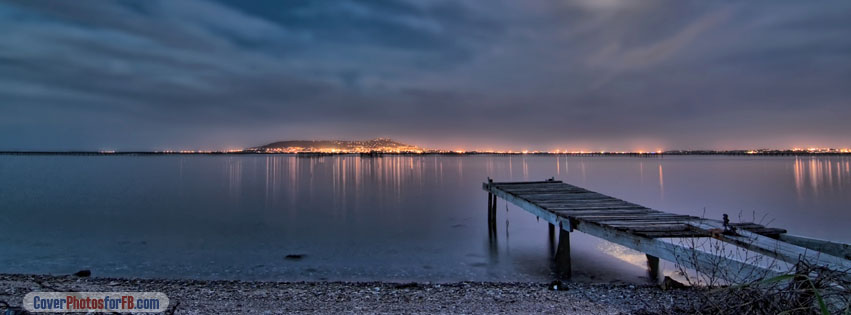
804, 289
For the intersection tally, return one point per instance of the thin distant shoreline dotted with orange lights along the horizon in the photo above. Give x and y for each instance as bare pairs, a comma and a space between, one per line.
378, 154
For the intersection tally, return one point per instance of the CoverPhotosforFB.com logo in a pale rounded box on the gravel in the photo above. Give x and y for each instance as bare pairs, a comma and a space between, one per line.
132, 302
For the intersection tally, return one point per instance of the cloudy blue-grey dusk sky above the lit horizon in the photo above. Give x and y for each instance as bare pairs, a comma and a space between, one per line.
496, 74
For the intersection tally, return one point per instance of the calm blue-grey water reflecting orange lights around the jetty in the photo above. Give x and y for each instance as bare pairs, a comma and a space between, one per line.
394, 218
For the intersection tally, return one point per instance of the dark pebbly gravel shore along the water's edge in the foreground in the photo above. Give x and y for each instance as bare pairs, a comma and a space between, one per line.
218, 297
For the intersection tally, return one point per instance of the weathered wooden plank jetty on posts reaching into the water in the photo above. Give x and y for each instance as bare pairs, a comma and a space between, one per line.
650, 231
